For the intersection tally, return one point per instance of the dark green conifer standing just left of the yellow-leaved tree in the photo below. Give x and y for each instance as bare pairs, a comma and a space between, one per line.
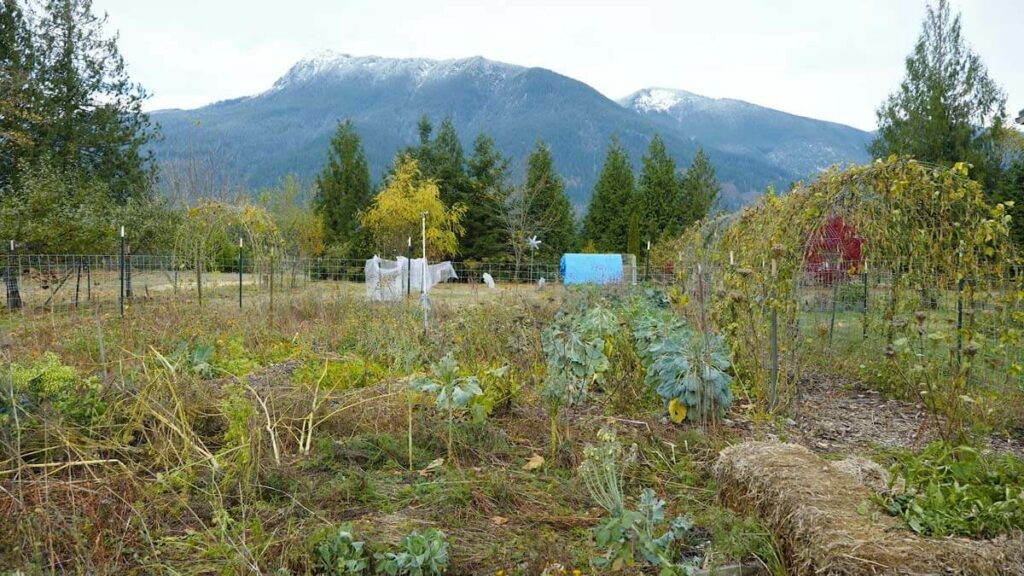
344, 187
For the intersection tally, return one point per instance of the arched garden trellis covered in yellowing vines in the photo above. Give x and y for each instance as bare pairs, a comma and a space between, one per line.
935, 260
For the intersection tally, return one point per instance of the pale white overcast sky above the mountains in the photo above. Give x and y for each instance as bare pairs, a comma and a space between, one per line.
825, 59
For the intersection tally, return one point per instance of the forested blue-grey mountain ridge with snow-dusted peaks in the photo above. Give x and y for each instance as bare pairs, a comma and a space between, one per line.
286, 129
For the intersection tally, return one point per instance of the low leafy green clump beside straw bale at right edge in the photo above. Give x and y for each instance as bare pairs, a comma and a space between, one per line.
958, 491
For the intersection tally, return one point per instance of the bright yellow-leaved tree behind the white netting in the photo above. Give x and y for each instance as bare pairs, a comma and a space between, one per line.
394, 216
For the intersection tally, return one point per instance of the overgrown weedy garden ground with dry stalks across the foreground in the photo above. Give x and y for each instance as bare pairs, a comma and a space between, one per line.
188, 440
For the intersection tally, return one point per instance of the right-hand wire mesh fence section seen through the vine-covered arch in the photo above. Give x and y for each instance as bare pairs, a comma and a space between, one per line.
936, 319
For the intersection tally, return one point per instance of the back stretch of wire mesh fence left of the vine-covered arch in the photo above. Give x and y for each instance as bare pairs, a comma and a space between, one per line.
82, 282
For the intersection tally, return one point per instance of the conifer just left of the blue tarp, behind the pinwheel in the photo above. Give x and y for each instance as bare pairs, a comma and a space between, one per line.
549, 208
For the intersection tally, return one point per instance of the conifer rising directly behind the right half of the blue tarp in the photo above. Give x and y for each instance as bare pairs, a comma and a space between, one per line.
608, 218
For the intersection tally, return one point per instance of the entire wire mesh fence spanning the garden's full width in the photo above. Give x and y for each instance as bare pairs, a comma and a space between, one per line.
848, 314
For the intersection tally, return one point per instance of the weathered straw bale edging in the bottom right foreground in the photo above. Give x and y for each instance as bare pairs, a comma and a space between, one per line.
828, 524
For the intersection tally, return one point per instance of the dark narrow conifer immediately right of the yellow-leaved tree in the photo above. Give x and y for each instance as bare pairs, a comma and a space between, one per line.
488, 172
